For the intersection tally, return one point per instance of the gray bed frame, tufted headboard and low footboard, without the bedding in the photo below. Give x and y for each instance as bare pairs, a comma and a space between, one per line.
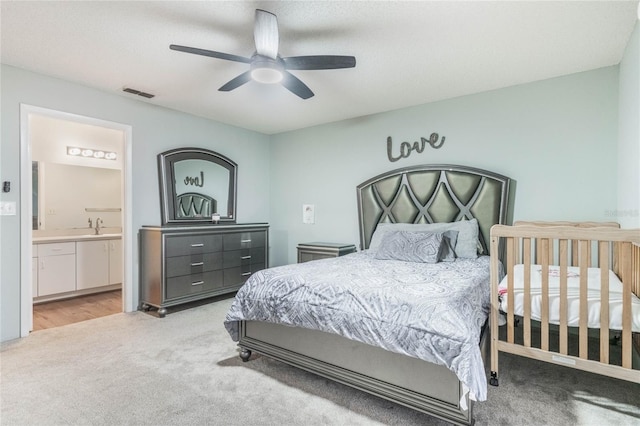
423, 194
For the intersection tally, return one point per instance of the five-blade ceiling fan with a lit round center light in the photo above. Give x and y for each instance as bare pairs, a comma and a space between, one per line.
266, 65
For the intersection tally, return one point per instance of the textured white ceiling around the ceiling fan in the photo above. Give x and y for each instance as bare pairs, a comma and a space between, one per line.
407, 53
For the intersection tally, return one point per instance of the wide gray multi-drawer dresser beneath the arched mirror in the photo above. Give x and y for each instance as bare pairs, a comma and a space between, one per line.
180, 264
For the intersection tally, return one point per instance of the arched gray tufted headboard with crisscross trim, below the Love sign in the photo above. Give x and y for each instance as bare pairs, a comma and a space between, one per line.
433, 193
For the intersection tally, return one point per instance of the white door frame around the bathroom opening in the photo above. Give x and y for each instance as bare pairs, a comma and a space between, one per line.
26, 208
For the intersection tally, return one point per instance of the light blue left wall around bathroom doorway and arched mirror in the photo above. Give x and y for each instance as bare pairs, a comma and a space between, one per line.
155, 130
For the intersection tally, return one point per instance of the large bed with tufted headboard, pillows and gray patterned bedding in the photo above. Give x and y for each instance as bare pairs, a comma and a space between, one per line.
383, 350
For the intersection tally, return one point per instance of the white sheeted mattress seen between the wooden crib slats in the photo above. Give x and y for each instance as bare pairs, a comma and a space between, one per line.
573, 292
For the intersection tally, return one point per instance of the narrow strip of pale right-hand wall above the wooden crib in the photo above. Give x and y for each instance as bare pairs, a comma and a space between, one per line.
628, 212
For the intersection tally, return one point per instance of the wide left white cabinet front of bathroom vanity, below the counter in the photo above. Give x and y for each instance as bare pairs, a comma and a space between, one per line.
56, 268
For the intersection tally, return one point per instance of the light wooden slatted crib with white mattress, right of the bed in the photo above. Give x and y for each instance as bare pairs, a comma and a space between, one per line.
552, 319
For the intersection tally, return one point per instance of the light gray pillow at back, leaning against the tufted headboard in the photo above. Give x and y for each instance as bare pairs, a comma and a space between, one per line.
466, 246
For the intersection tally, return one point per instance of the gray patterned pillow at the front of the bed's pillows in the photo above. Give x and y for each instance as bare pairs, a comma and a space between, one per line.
420, 247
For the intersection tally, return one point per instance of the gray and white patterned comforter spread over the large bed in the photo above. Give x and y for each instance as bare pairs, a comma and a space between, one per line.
433, 312
